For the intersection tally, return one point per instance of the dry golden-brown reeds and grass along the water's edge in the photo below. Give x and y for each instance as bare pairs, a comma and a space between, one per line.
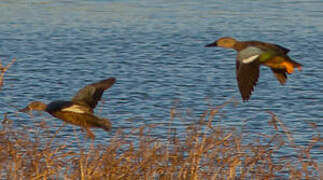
204, 151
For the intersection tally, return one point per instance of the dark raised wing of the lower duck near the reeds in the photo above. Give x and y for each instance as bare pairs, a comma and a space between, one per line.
91, 94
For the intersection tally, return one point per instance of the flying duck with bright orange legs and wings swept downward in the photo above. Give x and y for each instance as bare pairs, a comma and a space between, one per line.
252, 54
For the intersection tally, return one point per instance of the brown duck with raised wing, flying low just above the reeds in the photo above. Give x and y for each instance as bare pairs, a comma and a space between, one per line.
78, 111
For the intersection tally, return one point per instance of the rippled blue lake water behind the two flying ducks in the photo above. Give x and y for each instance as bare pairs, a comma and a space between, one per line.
156, 51
